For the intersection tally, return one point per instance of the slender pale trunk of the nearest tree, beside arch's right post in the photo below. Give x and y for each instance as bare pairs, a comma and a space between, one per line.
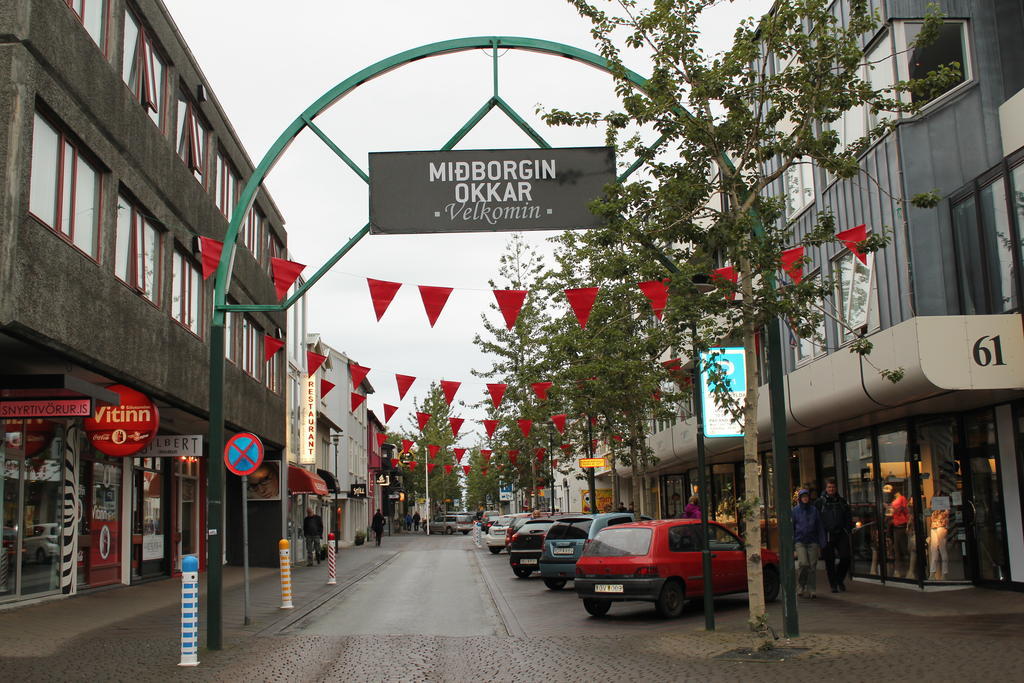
750, 509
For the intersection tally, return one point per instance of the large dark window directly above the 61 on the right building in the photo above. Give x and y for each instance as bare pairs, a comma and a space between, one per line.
985, 251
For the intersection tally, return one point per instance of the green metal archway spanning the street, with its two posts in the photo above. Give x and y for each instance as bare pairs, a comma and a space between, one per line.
216, 472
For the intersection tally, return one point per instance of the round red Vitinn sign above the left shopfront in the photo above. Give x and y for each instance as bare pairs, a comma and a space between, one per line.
125, 430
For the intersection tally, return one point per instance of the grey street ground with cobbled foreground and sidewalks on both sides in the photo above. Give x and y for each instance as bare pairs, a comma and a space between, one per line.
870, 633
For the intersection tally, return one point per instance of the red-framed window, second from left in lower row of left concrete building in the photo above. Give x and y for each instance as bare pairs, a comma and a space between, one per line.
138, 252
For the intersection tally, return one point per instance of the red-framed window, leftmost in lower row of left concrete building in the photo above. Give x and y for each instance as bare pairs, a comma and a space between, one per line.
65, 188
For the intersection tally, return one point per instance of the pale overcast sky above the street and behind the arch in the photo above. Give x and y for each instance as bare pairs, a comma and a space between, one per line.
269, 61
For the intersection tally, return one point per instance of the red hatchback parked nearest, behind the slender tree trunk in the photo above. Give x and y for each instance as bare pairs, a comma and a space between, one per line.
660, 562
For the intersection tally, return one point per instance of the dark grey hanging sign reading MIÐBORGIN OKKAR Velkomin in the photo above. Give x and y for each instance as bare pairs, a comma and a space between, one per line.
487, 191
